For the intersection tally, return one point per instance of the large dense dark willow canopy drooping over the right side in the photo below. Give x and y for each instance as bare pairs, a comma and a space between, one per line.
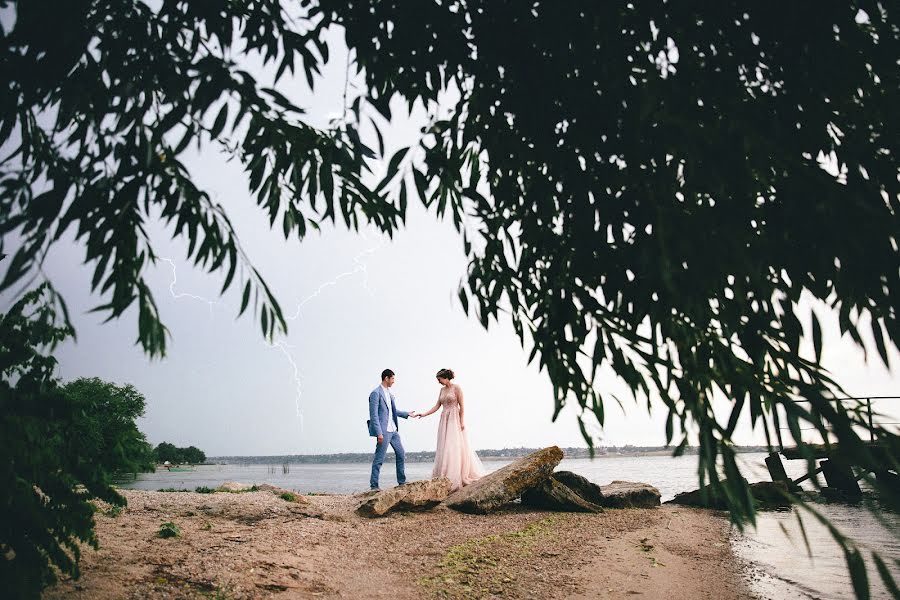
654, 186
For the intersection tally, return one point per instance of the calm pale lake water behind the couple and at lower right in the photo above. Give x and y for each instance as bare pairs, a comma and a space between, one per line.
779, 566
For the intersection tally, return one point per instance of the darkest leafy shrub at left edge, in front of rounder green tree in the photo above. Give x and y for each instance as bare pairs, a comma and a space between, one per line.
38, 497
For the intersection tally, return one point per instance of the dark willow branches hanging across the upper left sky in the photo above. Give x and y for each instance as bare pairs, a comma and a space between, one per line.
100, 104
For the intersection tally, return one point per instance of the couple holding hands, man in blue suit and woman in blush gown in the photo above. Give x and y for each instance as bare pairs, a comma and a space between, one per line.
453, 458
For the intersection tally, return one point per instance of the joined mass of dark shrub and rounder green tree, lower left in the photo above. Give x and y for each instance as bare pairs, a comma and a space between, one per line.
59, 446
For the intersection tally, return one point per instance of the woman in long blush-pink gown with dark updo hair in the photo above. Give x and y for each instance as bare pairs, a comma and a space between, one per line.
453, 458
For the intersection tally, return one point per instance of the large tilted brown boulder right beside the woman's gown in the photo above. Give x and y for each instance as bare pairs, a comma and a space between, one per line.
505, 485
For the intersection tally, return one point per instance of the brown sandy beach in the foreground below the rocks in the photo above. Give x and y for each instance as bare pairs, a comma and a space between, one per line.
257, 545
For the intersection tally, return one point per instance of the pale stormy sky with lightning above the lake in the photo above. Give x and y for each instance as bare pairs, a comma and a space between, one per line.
357, 303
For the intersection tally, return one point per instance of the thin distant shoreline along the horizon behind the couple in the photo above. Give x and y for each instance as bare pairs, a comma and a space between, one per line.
486, 455
